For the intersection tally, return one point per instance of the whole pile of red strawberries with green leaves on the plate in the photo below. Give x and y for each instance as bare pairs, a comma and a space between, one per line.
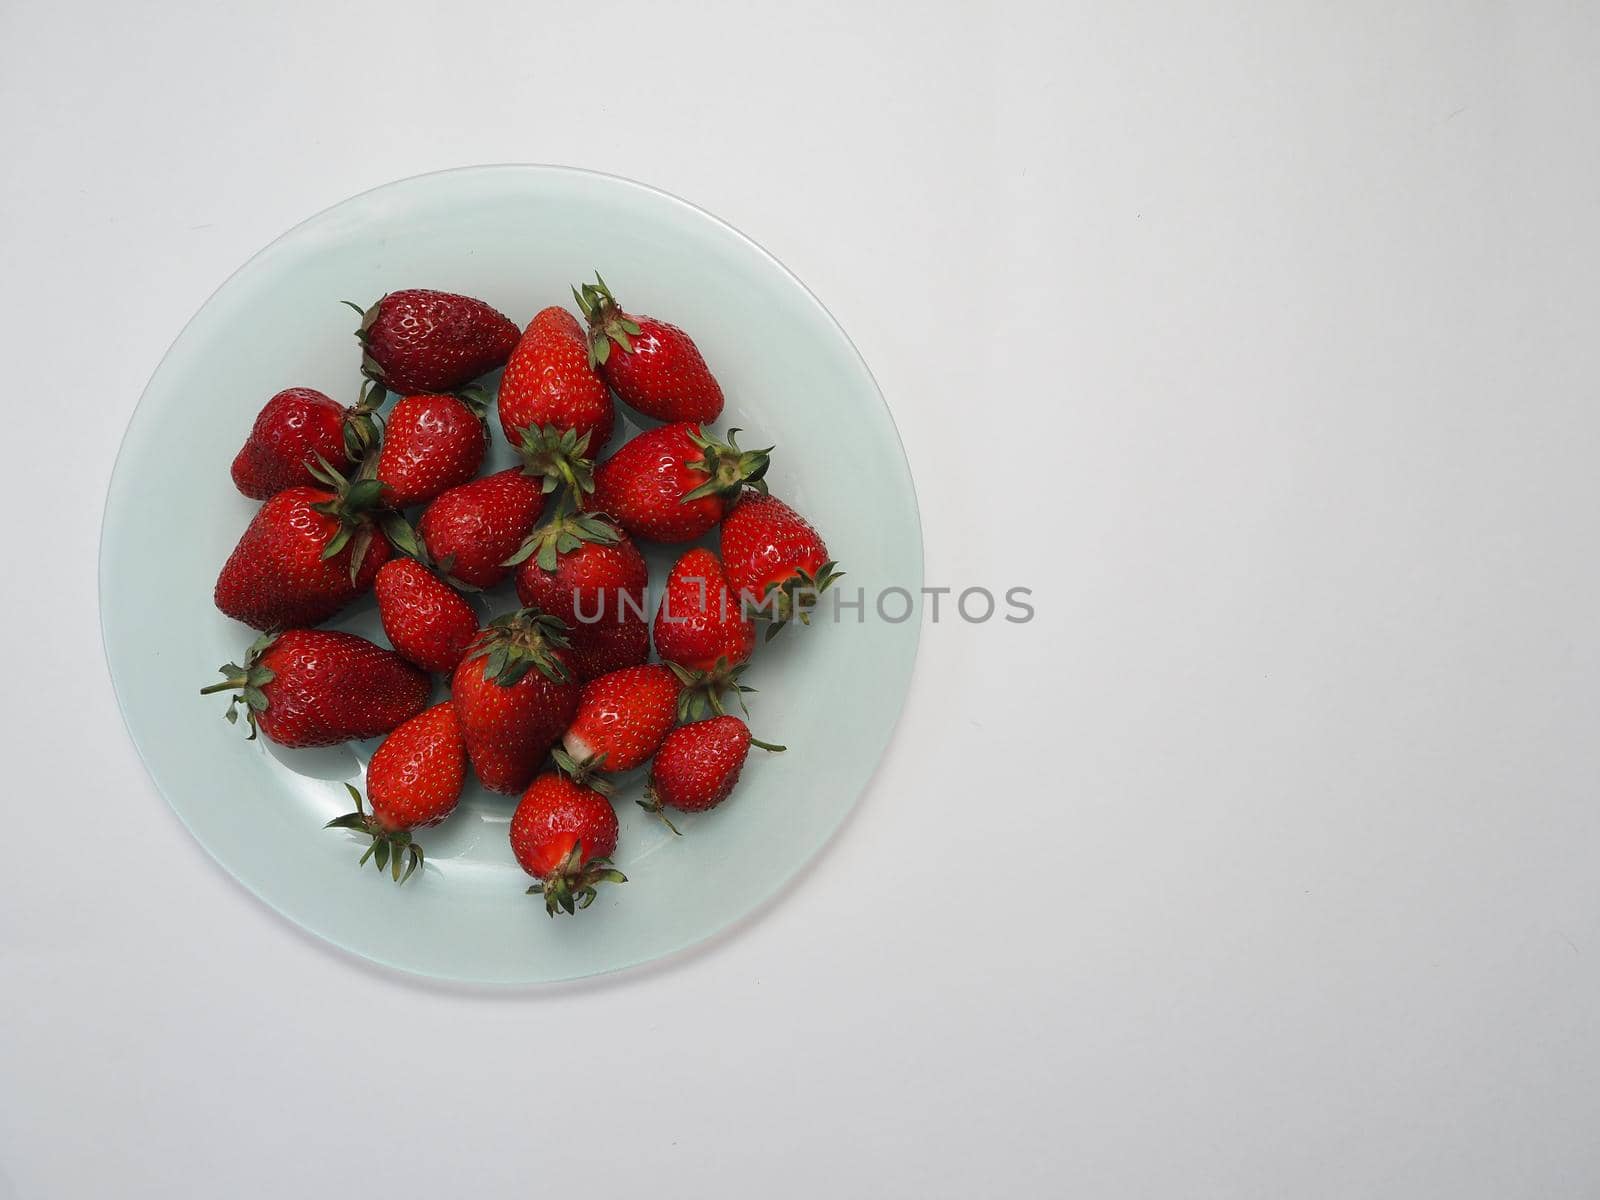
554, 700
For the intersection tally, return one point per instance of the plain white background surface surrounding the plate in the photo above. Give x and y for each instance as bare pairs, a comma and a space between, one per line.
1260, 340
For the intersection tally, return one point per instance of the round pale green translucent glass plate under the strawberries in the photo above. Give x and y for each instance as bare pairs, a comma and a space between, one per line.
518, 238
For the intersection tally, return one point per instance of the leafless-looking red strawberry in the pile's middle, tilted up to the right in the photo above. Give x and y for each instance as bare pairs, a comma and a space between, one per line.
474, 529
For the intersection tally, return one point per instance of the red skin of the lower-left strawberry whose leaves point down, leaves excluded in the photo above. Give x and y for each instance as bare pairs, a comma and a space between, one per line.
415, 778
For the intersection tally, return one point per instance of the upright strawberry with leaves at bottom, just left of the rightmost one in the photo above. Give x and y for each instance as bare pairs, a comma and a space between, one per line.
703, 631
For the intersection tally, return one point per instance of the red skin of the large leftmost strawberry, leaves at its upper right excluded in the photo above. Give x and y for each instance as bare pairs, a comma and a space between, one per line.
278, 578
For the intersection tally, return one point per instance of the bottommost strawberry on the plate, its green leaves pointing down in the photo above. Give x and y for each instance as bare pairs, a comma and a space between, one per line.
564, 834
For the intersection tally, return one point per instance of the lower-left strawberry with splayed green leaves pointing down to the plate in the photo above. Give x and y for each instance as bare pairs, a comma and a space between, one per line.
415, 782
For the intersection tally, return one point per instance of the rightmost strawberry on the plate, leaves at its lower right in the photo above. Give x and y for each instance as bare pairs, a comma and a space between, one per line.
775, 559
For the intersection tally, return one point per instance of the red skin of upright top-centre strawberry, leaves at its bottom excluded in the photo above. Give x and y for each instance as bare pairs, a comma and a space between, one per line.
551, 383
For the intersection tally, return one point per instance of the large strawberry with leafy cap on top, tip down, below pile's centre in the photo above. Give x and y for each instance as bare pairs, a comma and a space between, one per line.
516, 695
